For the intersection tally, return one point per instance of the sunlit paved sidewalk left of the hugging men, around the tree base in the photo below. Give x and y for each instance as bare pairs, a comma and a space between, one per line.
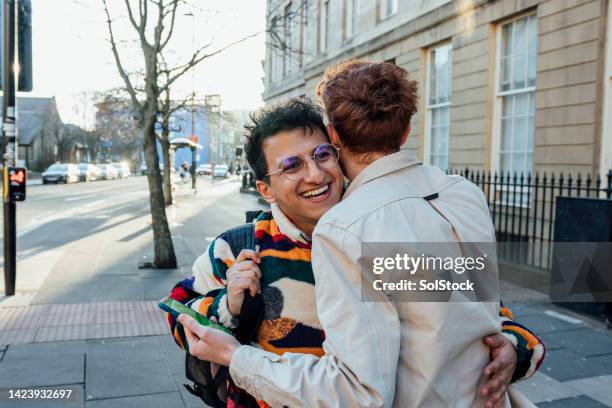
93, 327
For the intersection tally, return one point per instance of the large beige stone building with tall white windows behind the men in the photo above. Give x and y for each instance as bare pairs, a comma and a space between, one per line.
508, 85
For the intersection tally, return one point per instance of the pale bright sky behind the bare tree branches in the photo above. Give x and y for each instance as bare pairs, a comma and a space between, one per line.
72, 55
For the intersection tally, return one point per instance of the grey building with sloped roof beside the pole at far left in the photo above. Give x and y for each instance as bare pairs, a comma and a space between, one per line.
40, 132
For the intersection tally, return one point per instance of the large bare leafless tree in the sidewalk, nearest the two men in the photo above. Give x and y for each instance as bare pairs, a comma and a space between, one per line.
154, 21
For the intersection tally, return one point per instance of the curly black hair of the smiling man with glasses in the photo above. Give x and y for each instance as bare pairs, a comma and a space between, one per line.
294, 114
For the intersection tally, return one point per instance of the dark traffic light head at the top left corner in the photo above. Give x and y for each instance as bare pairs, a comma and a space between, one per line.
24, 43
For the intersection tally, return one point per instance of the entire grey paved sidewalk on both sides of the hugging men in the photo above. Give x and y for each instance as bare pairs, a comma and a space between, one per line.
94, 327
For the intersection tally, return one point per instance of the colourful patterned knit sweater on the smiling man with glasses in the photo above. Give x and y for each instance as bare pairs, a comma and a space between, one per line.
291, 323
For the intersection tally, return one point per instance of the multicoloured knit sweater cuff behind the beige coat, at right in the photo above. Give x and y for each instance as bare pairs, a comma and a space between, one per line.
530, 349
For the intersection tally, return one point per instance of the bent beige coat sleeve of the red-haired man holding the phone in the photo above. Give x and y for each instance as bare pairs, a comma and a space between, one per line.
362, 341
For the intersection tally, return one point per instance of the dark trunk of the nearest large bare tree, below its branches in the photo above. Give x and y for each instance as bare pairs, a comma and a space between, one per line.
162, 238
